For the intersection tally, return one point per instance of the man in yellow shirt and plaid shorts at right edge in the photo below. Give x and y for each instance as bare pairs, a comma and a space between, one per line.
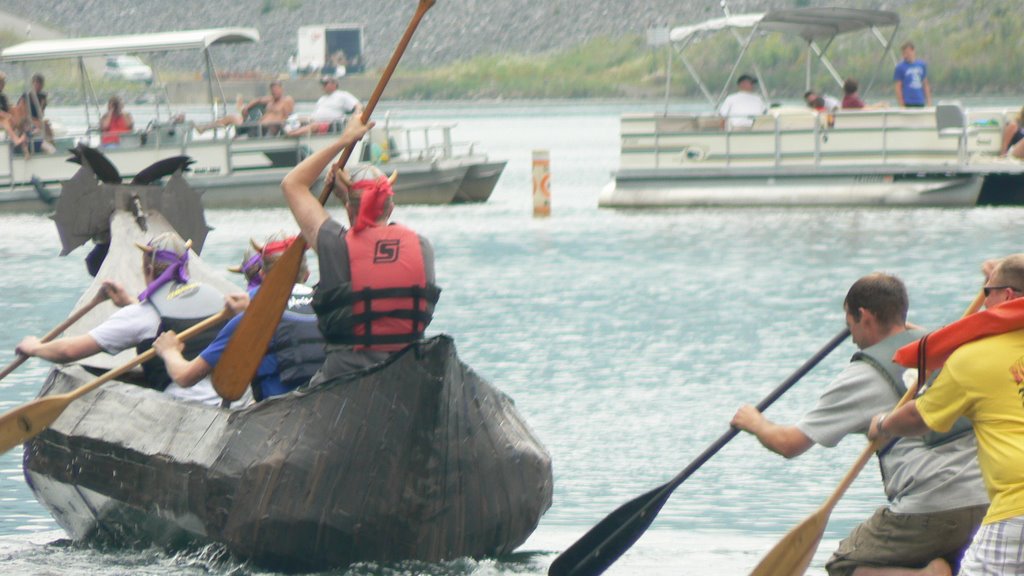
984, 381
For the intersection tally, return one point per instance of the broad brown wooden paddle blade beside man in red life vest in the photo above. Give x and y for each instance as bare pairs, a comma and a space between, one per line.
238, 365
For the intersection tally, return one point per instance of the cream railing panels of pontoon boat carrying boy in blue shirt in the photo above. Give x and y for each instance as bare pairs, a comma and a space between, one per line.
800, 138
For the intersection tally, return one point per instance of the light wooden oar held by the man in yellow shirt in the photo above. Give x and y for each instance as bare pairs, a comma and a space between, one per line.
793, 554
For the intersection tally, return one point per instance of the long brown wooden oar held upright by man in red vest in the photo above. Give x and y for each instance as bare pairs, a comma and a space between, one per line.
238, 365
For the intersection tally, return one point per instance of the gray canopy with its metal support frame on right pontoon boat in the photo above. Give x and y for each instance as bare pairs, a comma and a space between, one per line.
818, 27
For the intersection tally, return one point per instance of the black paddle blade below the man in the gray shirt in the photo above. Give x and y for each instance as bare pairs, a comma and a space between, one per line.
612, 538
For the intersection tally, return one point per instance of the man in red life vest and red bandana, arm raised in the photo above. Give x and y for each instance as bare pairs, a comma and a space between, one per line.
376, 294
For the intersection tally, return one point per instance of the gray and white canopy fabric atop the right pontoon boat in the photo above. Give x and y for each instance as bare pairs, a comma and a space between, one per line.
809, 24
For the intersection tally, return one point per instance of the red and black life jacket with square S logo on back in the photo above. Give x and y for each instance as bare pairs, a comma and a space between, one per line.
388, 303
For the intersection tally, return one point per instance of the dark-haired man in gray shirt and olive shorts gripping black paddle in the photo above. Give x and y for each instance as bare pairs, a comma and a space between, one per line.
936, 496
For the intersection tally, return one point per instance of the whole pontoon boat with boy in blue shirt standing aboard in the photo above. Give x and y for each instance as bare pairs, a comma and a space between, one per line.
942, 156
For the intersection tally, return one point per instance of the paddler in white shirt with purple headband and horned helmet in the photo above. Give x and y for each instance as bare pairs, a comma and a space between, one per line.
172, 302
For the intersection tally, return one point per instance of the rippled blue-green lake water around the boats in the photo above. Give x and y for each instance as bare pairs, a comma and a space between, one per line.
627, 339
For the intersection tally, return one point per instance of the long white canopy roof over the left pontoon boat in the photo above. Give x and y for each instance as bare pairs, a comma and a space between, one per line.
113, 46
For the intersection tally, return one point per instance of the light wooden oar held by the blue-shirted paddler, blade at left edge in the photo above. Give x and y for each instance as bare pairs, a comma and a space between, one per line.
26, 422
